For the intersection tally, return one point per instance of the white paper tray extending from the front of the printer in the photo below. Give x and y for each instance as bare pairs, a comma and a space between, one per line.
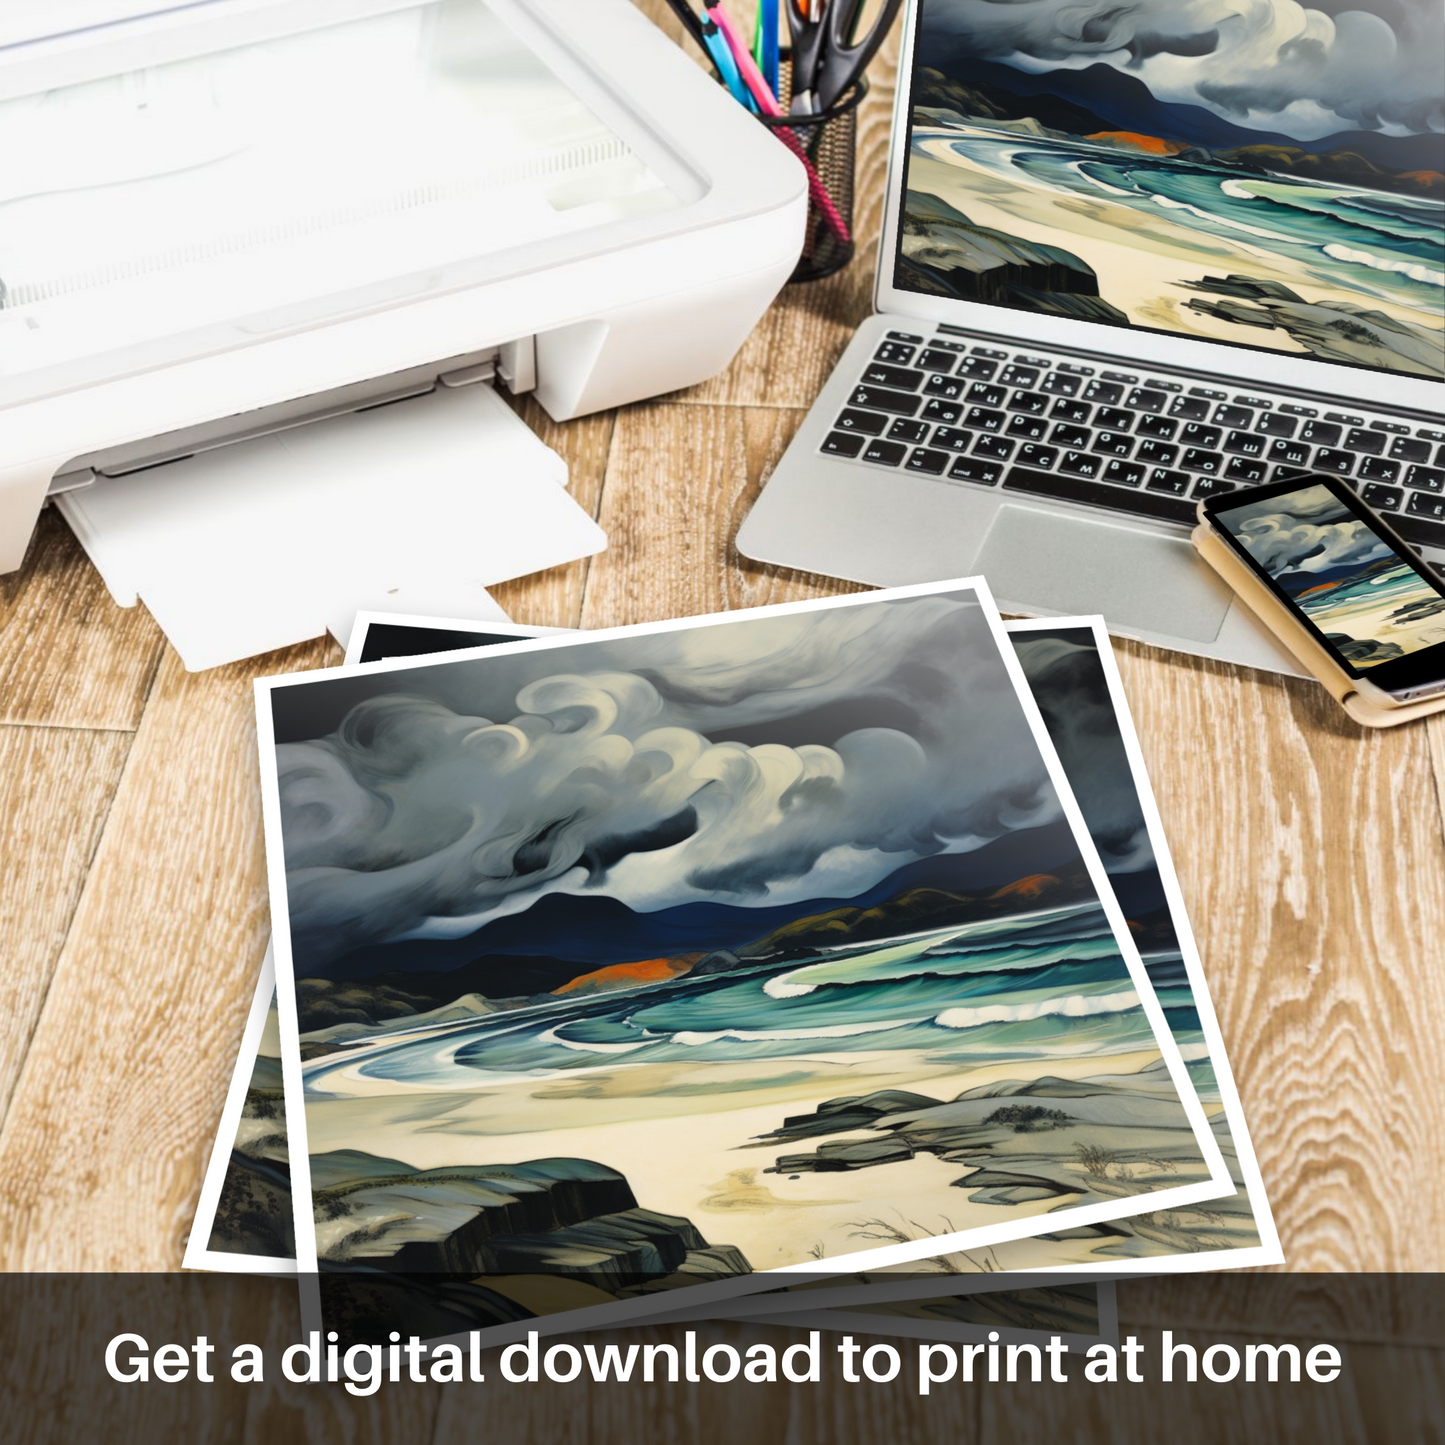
417, 506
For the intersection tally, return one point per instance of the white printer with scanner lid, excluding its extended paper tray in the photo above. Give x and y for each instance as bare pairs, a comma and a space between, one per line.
222, 220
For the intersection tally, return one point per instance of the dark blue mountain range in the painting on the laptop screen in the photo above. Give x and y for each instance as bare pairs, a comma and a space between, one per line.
1100, 99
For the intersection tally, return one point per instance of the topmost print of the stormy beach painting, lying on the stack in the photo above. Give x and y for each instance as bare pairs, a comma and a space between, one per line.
694, 952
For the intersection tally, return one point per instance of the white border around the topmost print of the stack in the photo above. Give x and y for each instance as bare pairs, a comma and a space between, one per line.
1215, 1187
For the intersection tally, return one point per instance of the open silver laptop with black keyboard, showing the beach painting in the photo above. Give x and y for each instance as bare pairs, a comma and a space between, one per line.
1132, 259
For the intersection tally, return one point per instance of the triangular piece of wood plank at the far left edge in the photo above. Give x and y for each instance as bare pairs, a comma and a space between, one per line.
56, 790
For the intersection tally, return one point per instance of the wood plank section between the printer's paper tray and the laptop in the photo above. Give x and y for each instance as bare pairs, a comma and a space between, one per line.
680, 483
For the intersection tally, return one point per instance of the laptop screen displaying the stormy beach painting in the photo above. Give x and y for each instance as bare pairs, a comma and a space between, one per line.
1241, 171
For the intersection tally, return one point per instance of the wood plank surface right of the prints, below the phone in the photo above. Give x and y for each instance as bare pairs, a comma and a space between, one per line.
1313, 863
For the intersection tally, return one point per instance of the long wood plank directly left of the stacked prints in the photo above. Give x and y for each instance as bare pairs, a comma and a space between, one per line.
115, 1112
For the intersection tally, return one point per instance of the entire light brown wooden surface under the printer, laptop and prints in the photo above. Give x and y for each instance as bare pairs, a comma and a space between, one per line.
134, 904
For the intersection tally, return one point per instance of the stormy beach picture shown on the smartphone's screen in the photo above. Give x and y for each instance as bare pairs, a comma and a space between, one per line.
1371, 603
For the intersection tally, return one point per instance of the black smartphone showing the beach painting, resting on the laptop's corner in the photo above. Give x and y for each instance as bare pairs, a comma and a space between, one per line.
1340, 570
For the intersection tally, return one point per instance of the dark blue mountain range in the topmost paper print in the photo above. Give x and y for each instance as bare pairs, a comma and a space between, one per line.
589, 933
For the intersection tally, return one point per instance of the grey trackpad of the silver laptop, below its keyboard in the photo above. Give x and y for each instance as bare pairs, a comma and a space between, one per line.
1154, 585
